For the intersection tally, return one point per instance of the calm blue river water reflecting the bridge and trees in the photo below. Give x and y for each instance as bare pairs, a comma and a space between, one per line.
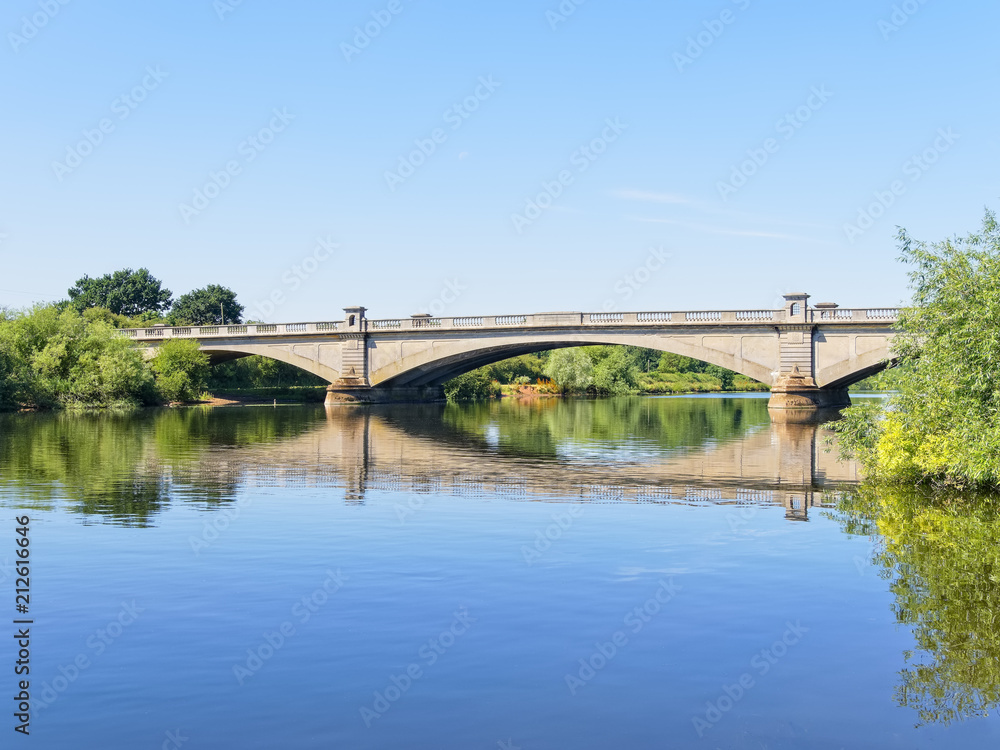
641, 573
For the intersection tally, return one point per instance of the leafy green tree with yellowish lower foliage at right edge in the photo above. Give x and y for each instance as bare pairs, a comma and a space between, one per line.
941, 426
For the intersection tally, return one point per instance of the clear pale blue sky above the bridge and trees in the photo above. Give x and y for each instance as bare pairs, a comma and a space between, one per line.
492, 157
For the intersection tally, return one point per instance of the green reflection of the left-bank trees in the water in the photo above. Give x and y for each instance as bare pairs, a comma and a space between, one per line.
125, 466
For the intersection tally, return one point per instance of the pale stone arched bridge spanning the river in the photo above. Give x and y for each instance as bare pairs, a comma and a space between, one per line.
808, 354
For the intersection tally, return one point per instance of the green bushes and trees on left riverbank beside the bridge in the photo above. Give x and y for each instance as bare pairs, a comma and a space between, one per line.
69, 355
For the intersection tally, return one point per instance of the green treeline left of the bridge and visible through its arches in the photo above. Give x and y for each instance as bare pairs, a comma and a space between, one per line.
68, 354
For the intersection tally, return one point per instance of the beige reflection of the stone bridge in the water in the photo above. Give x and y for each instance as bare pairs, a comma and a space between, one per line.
368, 451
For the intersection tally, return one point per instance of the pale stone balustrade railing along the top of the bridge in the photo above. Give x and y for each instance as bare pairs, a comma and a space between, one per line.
538, 320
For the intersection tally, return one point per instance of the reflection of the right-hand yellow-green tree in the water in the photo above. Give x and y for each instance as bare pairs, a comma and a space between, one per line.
942, 559
